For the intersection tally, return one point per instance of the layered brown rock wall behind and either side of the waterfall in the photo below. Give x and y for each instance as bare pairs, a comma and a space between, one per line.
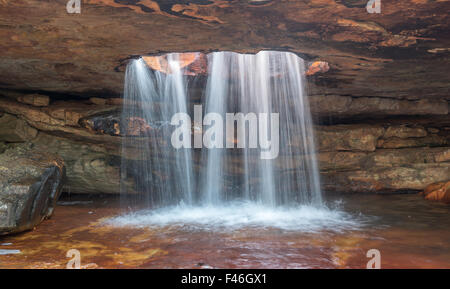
372, 156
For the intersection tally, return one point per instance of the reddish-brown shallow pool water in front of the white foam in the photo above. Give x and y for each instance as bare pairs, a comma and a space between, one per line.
408, 231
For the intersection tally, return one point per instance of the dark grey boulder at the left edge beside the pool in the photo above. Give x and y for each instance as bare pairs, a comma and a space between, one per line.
30, 184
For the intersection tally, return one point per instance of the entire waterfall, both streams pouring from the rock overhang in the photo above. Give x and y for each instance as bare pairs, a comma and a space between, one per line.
257, 86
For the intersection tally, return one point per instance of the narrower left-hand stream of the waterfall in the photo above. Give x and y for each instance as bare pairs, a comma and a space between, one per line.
150, 99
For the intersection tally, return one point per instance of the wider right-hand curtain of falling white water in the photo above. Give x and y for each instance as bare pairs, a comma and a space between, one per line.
268, 82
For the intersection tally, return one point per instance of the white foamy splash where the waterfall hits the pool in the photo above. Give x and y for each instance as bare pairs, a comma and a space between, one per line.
240, 215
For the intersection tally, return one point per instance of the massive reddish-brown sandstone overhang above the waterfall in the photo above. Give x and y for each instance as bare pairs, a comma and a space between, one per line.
401, 53
